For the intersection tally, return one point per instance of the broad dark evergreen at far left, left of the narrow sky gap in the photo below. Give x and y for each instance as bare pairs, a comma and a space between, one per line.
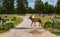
8, 6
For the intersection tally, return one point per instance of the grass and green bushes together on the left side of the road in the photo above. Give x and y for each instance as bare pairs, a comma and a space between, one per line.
11, 22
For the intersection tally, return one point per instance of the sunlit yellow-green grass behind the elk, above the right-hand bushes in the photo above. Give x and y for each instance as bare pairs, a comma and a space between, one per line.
46, 17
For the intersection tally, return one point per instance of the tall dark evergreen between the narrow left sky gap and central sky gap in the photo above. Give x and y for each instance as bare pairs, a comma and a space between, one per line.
21, 6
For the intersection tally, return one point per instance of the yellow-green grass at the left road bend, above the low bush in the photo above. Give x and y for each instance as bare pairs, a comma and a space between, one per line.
10, 17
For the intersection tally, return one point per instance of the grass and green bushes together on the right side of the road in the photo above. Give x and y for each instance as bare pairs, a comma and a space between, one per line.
47, 22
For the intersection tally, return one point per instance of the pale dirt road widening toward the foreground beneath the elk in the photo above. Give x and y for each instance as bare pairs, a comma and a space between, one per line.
25, 30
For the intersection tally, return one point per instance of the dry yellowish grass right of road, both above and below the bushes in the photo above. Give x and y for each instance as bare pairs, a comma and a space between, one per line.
45, 18
